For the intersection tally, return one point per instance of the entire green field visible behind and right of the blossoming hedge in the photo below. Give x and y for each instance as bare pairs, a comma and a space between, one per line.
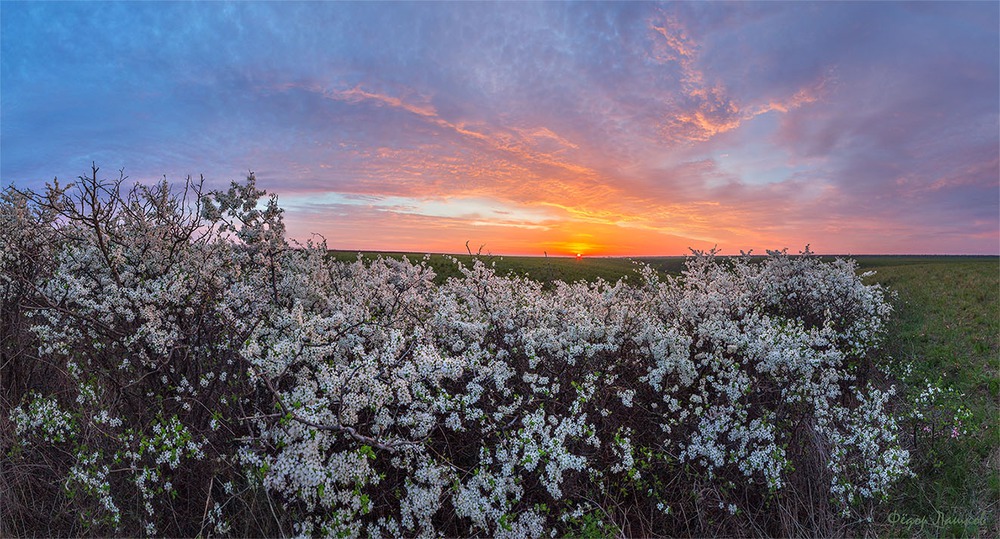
946, 326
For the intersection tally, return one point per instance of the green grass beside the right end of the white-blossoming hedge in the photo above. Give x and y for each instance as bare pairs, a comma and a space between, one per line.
947, 326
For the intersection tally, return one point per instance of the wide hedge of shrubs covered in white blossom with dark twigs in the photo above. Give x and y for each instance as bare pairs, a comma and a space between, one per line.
171, 366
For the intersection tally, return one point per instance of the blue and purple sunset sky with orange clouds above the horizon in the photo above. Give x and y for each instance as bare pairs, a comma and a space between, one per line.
532, 128
